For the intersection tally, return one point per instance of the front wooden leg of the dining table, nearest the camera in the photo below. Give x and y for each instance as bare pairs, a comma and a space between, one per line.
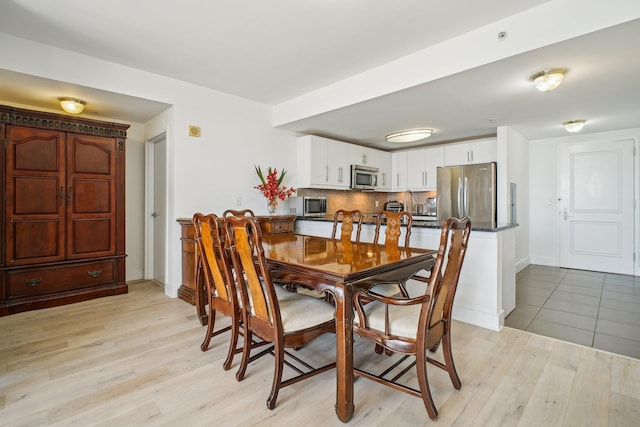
344, 351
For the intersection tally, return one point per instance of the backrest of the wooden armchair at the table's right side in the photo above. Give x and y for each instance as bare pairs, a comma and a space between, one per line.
454, 239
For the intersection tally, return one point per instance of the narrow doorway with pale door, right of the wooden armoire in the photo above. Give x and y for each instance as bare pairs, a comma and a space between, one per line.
155, 210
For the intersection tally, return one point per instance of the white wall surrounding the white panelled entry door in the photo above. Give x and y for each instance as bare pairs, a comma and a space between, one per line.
544, 192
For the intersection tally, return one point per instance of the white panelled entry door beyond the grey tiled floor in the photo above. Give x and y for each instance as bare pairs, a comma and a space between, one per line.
596, 206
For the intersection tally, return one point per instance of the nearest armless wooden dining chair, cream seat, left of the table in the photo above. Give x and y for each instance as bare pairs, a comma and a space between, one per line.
285, 319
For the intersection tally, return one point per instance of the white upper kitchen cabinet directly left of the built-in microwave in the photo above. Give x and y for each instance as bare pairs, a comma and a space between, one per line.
323, 163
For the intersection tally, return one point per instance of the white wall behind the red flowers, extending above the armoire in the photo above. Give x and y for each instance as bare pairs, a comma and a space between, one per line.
205, 174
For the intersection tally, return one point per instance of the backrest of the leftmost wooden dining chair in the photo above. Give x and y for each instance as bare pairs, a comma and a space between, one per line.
208, 233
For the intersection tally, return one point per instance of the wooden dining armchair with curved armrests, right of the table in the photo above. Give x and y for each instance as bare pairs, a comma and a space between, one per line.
412, 326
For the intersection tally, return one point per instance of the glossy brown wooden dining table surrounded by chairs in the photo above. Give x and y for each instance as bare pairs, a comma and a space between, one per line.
340, 267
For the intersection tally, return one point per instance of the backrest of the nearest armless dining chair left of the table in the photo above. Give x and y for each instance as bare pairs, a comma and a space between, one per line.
253, 274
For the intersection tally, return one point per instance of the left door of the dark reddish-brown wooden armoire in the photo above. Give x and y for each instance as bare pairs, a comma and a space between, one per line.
35, 196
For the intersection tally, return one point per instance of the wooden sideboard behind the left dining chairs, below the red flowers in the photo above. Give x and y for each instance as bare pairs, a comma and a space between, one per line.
192, 276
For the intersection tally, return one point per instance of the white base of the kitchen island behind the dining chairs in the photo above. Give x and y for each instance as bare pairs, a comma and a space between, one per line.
486, 288
